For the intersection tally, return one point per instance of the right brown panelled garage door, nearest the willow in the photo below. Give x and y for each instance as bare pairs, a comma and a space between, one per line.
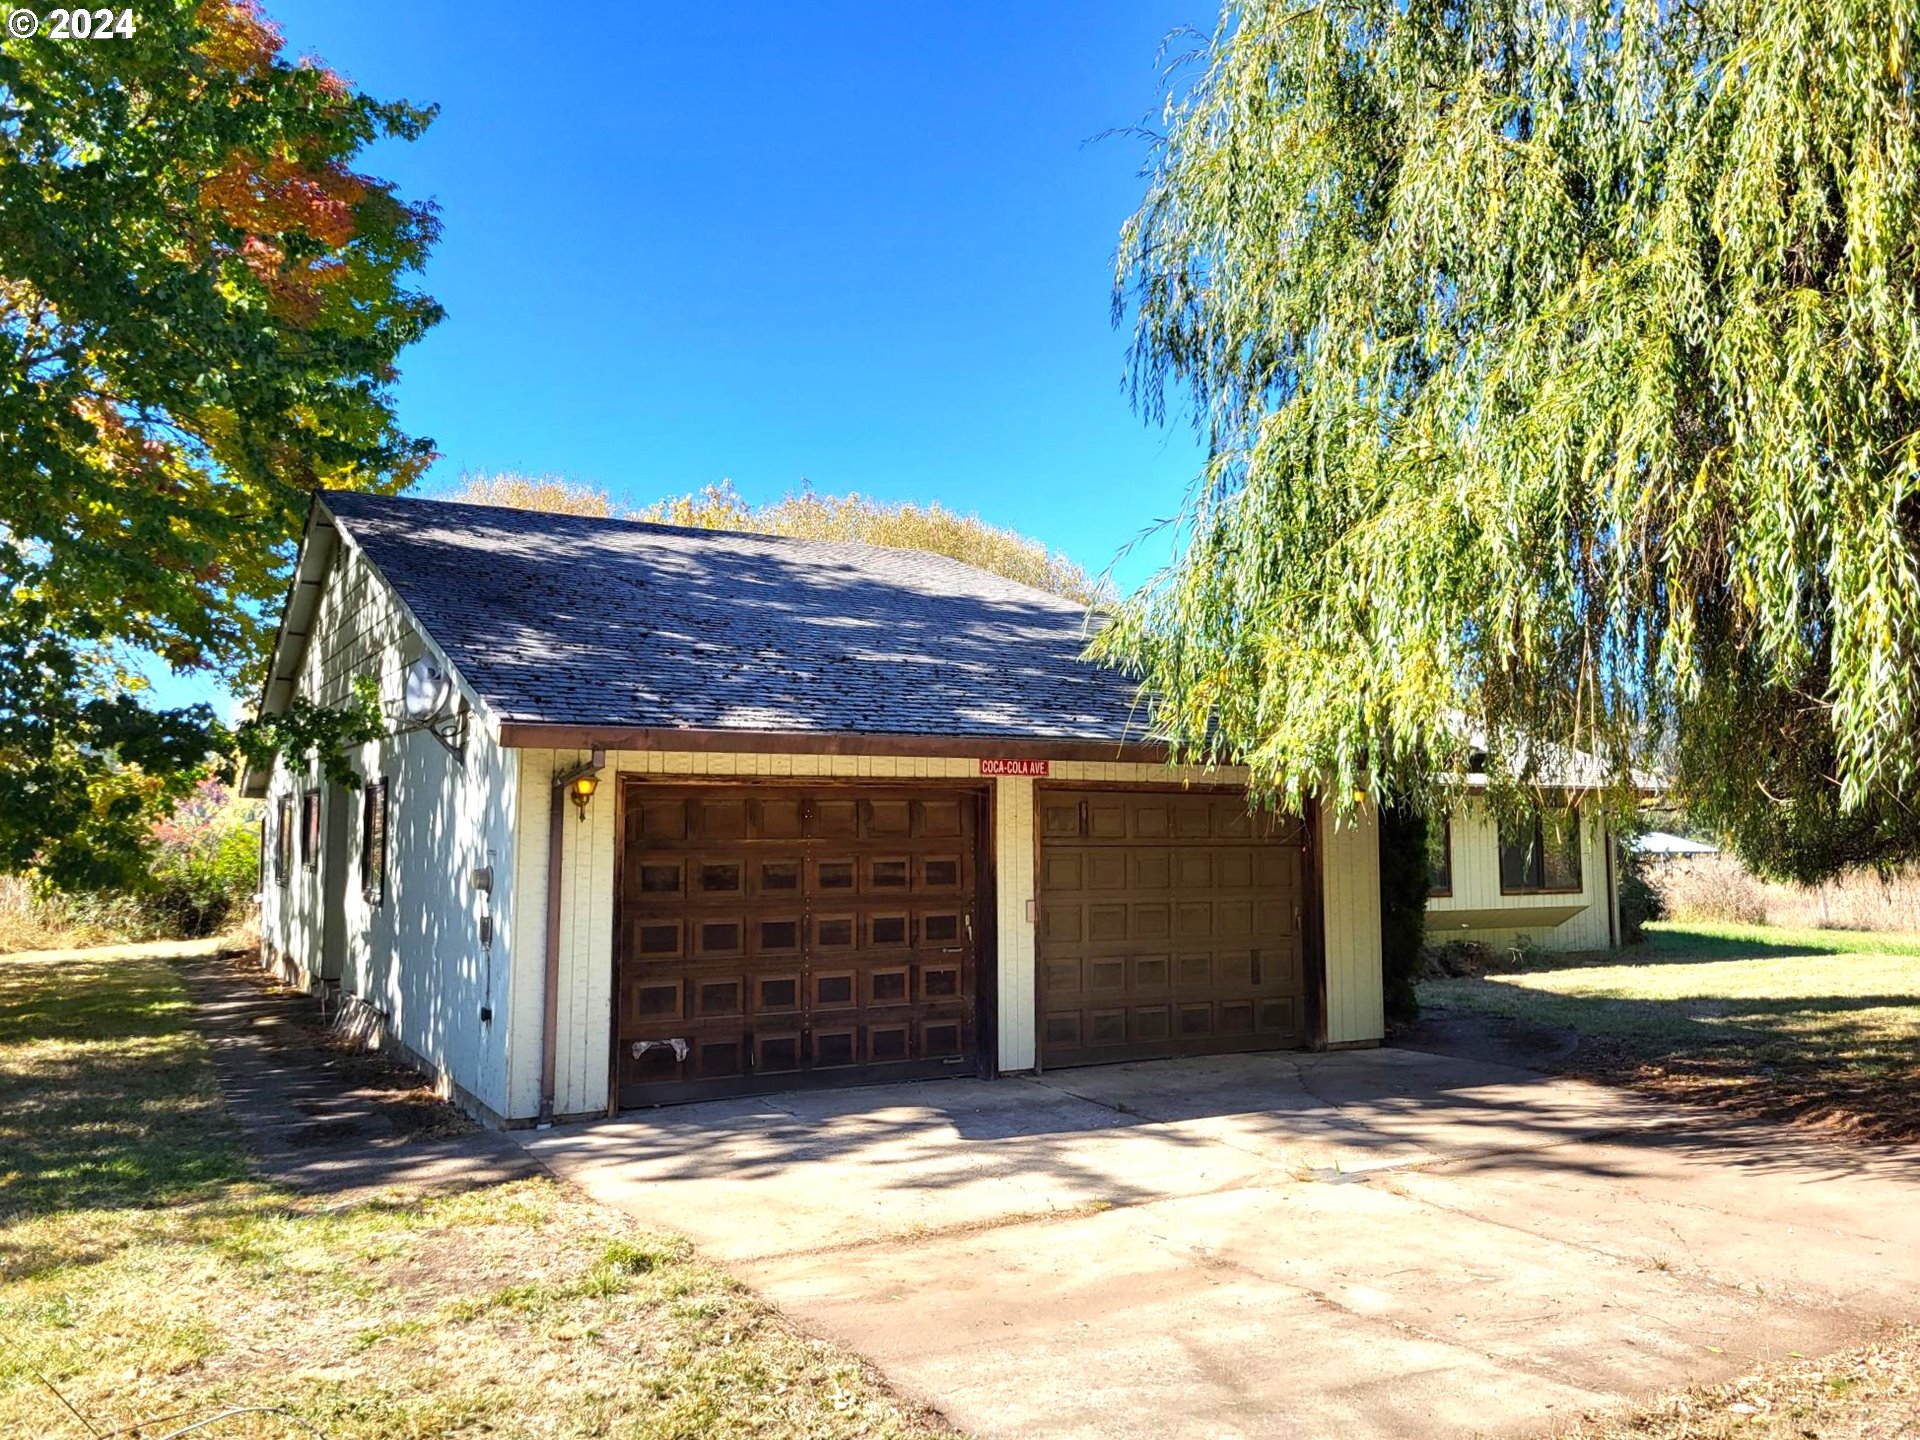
1168, 924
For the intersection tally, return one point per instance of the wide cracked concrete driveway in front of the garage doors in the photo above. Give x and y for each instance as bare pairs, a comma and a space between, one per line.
1366, 1243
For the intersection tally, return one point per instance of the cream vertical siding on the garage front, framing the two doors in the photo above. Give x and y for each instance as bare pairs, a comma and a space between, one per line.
1351, 905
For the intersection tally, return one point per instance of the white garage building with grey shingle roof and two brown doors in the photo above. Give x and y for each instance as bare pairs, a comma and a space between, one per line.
667, 815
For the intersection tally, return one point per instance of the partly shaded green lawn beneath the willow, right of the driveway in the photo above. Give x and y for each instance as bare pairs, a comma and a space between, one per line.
1810, 1026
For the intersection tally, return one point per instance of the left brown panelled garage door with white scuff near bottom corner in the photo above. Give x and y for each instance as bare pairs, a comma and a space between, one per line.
775, 938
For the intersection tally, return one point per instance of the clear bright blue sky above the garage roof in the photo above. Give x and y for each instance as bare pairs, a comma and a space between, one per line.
859, 245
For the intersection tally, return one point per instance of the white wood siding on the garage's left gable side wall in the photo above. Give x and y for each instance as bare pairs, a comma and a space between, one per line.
418, 957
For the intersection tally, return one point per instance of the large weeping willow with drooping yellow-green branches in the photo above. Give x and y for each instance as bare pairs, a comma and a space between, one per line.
1560, 368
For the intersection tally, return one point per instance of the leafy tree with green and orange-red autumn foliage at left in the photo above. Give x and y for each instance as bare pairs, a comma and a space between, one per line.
201, 312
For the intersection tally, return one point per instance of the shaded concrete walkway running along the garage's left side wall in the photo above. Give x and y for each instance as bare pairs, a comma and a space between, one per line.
320, 1118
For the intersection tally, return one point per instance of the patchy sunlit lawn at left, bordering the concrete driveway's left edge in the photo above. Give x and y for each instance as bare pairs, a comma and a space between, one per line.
147, 1280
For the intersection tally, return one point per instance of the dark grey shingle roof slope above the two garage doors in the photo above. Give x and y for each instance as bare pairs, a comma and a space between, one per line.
617, 623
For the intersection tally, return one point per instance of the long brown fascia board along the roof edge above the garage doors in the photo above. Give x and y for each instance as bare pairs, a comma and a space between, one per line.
539, 734
